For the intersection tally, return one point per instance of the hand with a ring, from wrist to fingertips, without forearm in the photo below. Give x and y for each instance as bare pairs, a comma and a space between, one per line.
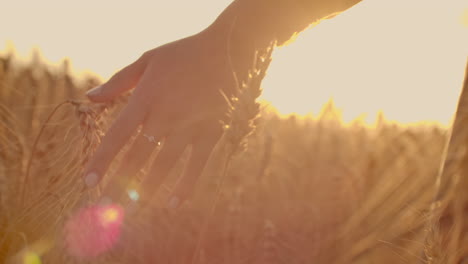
177, 100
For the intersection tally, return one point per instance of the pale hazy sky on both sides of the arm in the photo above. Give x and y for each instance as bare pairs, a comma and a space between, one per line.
406, 57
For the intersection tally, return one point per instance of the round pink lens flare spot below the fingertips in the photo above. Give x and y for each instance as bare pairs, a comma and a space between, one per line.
93, 230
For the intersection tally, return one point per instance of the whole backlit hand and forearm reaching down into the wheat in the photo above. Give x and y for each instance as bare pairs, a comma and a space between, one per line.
180, 91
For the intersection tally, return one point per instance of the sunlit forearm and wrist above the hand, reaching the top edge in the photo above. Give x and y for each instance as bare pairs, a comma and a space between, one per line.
247, 26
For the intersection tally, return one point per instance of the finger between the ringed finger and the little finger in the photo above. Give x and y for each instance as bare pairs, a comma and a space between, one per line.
167, 157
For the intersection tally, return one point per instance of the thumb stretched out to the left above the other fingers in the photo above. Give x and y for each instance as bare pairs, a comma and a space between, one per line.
122, 81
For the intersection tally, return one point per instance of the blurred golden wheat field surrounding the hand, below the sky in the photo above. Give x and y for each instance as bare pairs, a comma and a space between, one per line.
306, 190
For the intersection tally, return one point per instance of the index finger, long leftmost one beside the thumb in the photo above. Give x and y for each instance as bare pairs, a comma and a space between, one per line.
119, 133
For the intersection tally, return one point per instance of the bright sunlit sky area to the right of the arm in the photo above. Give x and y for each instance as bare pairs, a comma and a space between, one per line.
411, 68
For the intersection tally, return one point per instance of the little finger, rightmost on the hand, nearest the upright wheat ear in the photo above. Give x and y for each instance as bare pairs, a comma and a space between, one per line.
201, 152
